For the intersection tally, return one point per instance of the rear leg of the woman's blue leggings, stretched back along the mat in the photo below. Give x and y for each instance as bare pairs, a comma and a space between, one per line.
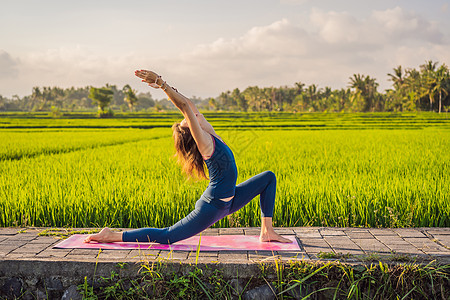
203, 216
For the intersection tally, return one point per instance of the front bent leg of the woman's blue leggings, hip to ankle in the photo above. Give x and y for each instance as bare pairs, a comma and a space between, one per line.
263, 184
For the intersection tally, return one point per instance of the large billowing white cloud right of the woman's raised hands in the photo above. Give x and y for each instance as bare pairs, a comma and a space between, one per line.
333, 47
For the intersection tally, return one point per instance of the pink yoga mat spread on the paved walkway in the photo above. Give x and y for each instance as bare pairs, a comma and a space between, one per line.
208, 243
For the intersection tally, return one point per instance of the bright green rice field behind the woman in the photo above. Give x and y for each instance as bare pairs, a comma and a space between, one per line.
368, 170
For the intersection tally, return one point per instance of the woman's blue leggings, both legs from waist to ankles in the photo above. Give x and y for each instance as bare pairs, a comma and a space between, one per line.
207, 213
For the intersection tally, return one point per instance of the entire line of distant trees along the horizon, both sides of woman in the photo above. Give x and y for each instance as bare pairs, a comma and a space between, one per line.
423, 89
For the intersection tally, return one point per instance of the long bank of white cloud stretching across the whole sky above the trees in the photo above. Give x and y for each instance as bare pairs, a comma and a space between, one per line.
326, 51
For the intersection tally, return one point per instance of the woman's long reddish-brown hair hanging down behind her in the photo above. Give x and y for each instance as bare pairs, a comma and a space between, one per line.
187, 153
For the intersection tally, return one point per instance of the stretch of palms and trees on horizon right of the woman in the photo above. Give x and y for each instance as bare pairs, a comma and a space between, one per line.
426, 88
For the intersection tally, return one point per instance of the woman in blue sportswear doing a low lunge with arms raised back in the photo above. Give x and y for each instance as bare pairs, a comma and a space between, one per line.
197, 144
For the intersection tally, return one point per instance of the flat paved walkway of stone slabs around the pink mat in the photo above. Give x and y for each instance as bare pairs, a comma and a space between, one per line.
316, 243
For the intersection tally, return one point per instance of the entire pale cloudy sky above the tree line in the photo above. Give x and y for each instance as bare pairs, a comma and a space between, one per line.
205, 47
